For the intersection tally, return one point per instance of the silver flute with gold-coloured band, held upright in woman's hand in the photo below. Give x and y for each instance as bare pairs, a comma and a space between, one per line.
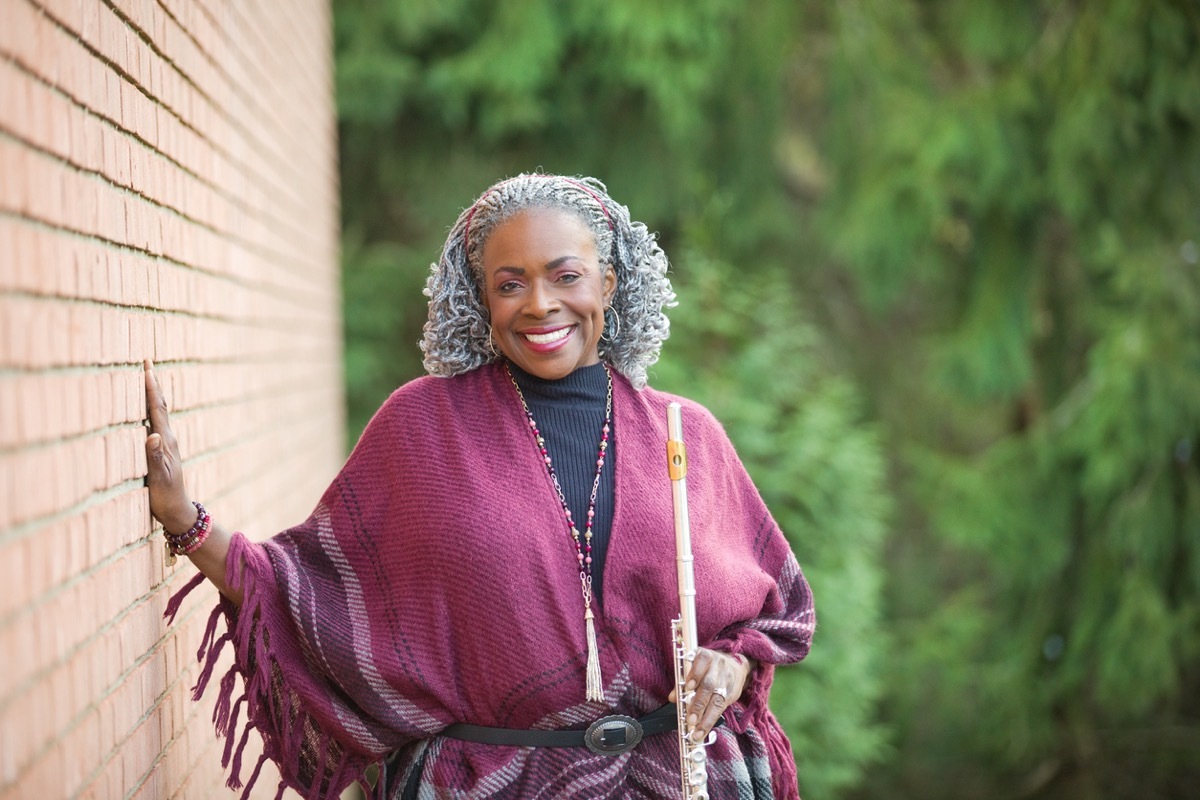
693, 759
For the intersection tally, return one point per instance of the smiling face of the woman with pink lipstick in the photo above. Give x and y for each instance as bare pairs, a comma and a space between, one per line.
547, 292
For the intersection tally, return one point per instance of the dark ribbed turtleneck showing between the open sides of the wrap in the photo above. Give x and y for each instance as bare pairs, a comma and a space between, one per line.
571, 414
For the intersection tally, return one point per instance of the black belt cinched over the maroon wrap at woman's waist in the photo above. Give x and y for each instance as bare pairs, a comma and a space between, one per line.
611, 736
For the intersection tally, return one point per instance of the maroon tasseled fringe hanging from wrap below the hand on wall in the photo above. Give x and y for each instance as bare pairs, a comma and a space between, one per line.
284, 730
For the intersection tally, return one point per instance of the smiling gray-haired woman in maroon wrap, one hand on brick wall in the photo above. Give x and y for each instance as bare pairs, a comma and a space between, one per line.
496, 560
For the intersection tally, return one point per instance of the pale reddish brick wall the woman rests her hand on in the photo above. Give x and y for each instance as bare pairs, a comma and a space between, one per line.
167, 191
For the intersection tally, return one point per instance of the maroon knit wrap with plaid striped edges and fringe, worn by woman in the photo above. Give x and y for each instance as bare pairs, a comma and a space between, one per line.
436, 584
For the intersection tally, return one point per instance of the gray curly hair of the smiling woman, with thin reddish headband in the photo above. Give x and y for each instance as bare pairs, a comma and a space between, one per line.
458, 334
